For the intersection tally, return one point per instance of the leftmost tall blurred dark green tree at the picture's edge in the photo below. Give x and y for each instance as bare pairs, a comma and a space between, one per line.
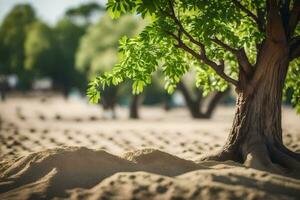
12, 37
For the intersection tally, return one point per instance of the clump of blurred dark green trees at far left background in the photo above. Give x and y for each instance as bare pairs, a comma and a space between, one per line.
31, 49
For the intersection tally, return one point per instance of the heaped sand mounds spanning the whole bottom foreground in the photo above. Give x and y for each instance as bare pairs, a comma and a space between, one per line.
81, 173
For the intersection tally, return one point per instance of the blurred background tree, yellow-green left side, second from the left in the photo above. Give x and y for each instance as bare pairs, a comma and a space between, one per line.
50, 52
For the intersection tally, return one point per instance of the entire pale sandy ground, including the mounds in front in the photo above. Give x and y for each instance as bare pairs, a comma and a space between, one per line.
52, 148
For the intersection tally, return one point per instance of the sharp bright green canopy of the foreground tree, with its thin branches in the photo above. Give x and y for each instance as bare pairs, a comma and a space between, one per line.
179, 29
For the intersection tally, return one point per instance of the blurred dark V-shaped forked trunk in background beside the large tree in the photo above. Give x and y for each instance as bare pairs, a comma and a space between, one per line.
194, 105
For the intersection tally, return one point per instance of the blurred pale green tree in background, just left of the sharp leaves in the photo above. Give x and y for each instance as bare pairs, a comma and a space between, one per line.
98, 51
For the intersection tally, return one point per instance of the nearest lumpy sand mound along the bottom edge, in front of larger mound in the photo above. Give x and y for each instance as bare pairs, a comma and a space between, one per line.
194, 185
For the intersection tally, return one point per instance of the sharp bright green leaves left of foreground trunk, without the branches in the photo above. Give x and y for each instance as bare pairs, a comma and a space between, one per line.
154, 47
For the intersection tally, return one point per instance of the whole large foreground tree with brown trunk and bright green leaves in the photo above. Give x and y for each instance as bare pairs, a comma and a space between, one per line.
252, 45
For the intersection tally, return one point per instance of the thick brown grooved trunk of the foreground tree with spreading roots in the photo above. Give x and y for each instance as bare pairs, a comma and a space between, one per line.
256, 135
